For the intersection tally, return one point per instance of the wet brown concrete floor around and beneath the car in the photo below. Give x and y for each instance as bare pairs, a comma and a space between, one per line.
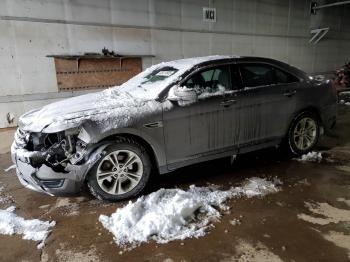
309, 220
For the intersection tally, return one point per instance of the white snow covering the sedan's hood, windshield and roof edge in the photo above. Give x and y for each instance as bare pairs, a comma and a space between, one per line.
120, 102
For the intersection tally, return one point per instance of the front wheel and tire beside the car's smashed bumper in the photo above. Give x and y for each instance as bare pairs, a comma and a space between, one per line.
112, 178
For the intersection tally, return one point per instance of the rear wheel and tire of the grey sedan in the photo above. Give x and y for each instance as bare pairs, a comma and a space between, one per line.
303, 133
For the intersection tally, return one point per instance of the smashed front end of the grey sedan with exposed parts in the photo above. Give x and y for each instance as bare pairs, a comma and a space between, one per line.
53, 163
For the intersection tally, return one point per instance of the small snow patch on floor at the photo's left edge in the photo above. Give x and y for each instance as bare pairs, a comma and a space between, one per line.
33, 229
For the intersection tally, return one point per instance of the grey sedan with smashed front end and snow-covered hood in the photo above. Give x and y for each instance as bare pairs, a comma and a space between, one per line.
171, 115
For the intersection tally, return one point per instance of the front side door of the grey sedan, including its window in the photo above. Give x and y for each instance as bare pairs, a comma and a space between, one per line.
196, 131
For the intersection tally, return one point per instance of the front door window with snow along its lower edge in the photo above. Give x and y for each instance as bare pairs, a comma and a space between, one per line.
213, 80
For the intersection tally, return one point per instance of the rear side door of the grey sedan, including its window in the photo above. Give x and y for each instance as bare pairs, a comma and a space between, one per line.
265, 104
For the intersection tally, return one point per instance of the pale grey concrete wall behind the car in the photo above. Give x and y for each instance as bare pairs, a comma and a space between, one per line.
168, 29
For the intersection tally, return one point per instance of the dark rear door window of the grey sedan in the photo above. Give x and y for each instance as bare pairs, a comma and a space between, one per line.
254, 75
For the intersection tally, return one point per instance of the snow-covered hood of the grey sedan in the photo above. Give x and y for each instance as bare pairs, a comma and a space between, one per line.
72, 112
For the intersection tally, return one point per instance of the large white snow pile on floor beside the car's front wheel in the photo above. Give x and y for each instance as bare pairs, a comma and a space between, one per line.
171, 214
